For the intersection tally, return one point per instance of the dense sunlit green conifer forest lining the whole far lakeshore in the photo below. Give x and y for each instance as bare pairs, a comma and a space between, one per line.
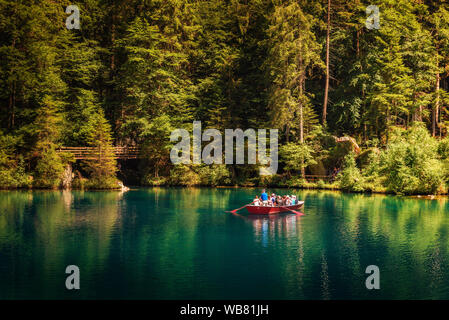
137, 70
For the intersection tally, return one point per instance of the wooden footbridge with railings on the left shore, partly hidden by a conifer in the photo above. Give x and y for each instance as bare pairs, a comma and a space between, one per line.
94, 153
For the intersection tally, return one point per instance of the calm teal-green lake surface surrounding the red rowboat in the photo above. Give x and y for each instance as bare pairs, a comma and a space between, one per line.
180, 244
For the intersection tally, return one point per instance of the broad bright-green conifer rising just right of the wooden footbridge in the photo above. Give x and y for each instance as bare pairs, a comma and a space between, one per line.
154, 77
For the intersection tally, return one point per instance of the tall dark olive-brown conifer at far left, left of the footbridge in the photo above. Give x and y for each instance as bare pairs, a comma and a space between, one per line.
31, 84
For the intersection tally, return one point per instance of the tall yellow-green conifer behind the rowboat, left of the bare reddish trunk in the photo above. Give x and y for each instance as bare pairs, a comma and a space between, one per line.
293, 54
